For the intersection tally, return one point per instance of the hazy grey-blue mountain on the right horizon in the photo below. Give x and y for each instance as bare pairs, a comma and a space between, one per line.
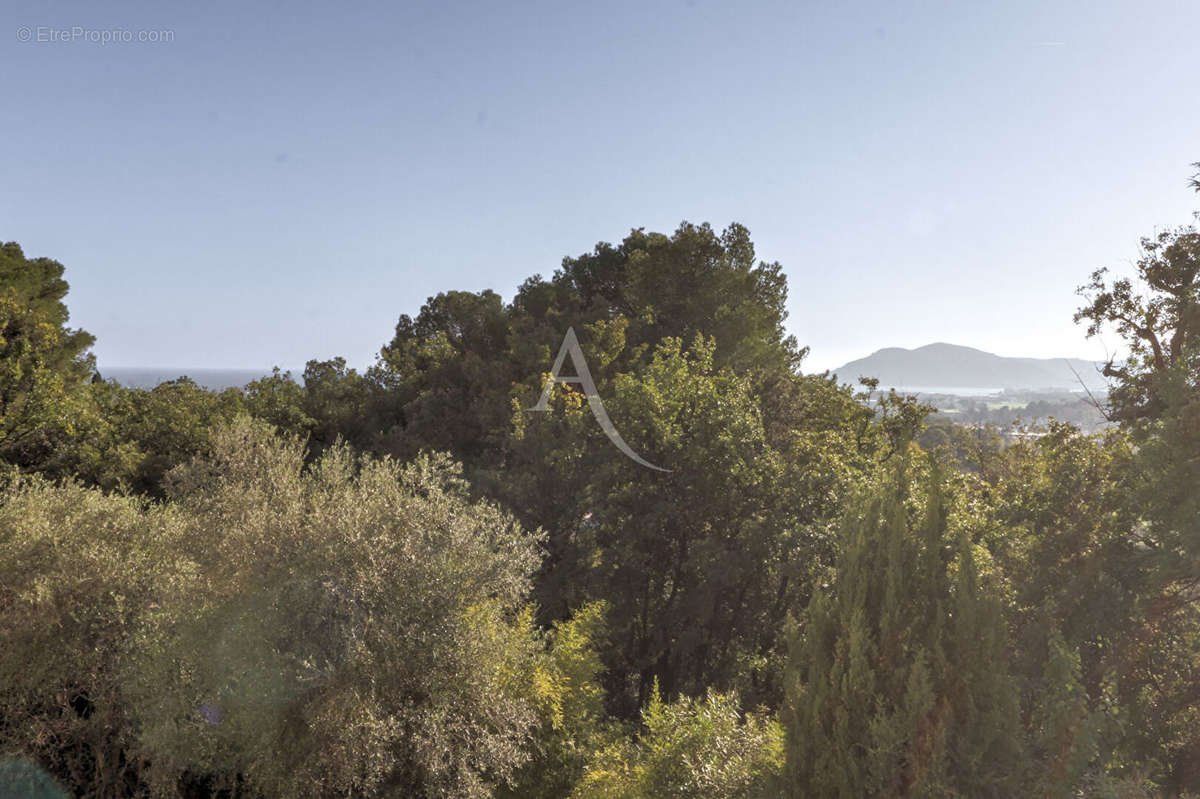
950, 365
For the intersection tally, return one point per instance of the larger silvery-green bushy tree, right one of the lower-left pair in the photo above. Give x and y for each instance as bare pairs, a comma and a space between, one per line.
353, 628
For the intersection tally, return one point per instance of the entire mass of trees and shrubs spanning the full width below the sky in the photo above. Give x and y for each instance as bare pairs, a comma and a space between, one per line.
401, 584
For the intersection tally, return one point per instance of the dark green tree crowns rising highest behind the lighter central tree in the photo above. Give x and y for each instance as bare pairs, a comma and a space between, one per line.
447, 379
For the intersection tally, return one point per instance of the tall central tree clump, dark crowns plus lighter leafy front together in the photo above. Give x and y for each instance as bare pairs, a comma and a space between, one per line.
701, 566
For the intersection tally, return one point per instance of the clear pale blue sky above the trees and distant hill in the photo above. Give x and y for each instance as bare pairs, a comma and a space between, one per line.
249, 185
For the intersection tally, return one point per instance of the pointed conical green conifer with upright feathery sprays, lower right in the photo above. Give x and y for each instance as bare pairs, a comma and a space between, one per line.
898, 683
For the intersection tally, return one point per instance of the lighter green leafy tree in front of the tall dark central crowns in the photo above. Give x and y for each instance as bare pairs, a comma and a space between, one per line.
700, 566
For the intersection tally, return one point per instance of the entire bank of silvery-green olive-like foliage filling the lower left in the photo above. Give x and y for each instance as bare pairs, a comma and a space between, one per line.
357, 628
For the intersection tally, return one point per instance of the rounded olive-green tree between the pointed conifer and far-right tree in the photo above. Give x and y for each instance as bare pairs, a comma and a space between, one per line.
1055, 520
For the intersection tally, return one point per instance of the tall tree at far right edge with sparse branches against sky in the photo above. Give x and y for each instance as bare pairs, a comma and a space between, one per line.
1156, 398
